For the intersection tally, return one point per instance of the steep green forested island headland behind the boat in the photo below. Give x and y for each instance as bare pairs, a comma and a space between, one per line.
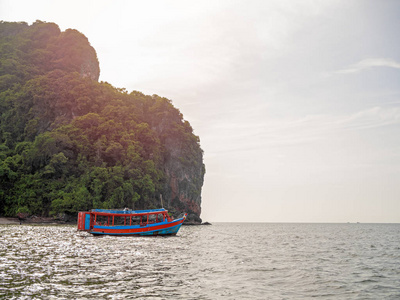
69, 143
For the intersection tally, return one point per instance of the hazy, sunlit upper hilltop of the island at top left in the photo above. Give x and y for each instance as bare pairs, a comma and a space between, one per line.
41, 47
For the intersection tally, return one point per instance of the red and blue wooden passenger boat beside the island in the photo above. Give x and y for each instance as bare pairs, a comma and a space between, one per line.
126, 222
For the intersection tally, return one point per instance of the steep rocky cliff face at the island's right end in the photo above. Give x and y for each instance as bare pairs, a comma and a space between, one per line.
182, 159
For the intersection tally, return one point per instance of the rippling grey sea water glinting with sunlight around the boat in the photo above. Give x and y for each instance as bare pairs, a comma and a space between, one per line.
222, 261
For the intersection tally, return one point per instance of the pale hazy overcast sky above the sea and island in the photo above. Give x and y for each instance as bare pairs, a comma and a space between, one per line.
296, 103
